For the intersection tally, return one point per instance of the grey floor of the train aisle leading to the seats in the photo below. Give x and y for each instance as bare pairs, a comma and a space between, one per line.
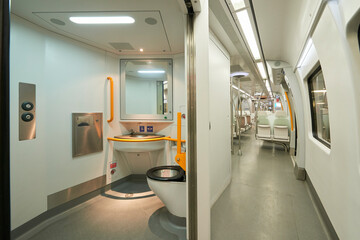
264, 200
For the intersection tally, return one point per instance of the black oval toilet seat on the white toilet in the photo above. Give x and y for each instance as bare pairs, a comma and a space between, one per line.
166, 173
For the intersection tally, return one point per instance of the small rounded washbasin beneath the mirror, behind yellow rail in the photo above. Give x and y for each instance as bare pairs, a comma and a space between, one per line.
139, 146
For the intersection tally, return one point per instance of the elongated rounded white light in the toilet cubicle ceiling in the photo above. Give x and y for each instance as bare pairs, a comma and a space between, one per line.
102, 20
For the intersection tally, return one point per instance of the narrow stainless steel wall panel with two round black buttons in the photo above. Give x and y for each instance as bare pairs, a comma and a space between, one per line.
27, 108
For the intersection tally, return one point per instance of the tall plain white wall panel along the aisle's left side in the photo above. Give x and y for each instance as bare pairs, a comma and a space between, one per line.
219, 104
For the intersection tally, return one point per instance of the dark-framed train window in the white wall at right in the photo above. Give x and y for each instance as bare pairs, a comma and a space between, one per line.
319, 107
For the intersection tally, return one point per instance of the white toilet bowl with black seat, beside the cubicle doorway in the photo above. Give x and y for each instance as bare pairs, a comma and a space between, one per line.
169, 184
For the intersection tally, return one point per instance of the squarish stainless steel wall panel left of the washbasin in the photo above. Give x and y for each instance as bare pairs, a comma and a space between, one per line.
87, 133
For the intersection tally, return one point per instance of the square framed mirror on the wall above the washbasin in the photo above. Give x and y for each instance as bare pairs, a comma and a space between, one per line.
146, 89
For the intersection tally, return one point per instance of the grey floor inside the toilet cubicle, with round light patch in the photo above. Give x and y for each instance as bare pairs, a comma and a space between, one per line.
128, 212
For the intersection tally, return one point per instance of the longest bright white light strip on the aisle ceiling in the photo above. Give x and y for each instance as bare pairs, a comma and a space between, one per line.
246, 27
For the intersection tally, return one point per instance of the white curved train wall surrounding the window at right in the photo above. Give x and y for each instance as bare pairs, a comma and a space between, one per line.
335, 172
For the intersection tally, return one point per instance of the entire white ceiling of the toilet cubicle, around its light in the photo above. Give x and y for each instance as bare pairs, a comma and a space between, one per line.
166, 36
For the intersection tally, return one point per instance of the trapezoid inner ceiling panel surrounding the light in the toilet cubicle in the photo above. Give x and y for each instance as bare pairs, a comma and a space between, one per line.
101, 35
